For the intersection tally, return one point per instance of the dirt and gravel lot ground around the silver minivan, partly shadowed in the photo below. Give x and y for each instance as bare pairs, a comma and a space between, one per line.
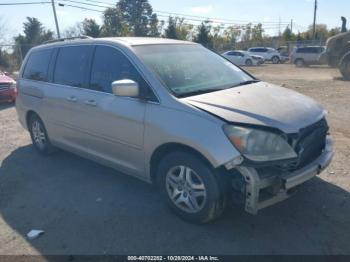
85, 208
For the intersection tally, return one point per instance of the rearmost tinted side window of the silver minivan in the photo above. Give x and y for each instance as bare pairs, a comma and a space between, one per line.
37, 65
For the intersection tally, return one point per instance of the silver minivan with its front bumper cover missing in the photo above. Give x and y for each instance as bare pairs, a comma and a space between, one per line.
177, 115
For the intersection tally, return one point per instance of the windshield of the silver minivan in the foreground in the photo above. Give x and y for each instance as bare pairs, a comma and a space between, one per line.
191, 69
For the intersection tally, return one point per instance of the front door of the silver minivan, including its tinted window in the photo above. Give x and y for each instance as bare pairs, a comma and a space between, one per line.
112, 127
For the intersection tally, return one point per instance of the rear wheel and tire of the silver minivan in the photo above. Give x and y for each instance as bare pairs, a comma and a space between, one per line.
39, 135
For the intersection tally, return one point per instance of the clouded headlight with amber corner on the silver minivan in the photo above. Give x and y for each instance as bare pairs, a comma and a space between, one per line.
258, 145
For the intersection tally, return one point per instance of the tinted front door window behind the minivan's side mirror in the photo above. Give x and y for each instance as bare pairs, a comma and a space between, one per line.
111, 65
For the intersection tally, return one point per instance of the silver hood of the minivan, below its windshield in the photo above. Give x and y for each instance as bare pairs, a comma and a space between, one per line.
261, 104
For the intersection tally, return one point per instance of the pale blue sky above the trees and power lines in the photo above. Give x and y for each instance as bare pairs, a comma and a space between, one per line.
271, 13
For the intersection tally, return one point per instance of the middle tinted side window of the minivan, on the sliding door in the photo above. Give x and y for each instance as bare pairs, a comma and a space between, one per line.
71, 65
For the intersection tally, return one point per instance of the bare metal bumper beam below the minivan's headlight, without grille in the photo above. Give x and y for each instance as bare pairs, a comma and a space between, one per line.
268, 187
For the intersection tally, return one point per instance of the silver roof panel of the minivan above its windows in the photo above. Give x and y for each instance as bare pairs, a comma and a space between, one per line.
128, 41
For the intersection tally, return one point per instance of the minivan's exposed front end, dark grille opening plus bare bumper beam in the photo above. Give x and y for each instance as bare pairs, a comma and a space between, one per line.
261, 187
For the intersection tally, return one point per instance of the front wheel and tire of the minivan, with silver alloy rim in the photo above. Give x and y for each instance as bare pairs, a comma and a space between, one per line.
191, 188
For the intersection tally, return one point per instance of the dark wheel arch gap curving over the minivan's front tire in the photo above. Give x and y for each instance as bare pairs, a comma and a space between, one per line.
167, 148
